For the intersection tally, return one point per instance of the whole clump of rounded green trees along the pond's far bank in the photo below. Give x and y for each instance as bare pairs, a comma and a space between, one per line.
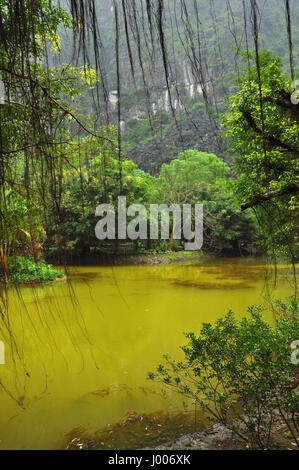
194, 177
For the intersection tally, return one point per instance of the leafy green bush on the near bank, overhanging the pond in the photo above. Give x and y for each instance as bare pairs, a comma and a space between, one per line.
240, 372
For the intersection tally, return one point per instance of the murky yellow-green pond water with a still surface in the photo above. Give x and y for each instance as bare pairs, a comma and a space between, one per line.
78, 352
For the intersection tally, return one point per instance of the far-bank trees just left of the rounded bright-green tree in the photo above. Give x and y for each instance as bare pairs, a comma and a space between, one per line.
93, 180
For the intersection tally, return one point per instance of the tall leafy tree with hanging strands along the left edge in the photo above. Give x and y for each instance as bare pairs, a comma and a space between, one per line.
40, 114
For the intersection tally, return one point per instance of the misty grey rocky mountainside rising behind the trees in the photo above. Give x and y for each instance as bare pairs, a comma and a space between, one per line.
159, 120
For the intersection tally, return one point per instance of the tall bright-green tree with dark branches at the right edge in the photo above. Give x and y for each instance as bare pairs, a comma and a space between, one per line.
262, 127
